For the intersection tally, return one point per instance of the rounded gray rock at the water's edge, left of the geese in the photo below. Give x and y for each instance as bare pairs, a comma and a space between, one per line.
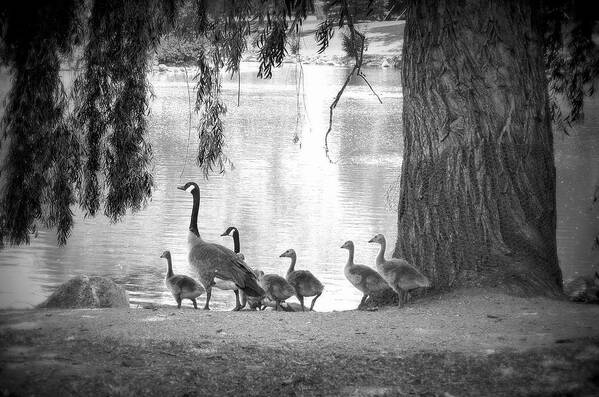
87, 292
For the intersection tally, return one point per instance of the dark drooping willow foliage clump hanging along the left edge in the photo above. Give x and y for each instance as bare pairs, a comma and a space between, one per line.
41, 152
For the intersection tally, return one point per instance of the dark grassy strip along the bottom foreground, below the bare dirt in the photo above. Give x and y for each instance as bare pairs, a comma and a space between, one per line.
218, 367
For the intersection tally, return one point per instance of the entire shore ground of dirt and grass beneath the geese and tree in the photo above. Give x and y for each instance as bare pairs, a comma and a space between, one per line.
465, 343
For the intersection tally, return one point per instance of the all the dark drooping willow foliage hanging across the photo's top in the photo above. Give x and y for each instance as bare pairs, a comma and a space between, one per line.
89, 147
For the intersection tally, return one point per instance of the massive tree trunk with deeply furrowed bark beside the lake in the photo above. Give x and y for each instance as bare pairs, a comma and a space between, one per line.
477, 204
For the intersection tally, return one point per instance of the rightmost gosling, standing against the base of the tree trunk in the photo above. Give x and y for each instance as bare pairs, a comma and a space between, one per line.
399, 274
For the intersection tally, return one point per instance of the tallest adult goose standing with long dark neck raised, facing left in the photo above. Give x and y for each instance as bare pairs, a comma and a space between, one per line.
212, 260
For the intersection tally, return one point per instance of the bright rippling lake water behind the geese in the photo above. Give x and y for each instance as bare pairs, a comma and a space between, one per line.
280, 194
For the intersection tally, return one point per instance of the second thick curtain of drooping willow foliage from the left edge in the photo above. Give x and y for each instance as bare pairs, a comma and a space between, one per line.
112, 103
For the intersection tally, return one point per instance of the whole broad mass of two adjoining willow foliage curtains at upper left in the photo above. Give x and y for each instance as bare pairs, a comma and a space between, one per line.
53, 160
